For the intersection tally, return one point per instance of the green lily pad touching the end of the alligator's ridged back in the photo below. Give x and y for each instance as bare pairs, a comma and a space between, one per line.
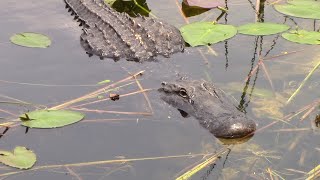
204, 33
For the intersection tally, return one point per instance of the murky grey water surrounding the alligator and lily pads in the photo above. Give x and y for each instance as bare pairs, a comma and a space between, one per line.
289, 149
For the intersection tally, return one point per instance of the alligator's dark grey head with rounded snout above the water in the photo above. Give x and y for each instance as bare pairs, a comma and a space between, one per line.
210, 105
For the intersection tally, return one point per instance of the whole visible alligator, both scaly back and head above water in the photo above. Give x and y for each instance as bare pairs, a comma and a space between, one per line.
111, 34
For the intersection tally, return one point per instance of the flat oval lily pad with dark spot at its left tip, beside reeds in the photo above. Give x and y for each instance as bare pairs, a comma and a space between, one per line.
50, 118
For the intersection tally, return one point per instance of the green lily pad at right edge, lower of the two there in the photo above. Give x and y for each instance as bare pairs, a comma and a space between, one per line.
303, 37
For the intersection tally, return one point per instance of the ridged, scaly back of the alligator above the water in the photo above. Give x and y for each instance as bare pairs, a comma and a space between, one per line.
111, 34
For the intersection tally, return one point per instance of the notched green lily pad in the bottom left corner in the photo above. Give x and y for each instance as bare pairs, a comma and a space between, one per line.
21, 158
